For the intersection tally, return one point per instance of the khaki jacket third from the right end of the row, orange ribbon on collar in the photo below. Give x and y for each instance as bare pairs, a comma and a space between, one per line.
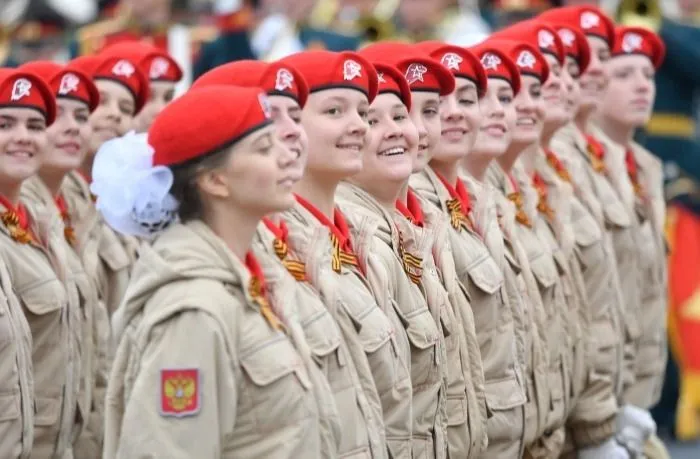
594, 404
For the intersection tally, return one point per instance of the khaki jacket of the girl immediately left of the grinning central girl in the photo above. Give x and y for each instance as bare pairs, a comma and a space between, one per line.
347, 294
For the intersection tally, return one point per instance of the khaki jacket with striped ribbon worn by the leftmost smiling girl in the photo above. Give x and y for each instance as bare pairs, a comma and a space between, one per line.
44, 285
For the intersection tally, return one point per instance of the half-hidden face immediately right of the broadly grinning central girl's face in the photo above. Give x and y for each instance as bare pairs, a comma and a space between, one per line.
425, 114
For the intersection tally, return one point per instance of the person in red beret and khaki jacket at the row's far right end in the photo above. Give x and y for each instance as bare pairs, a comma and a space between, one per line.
637, 177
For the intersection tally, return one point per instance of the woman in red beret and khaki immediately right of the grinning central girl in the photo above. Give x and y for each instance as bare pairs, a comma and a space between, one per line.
425, 230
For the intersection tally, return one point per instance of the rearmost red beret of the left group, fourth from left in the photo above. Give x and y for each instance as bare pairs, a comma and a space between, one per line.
153, 62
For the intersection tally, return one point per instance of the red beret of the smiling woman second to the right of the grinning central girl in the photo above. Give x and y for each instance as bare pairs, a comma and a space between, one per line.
459, 61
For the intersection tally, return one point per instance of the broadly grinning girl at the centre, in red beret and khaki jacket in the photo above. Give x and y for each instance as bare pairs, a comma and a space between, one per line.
394, 267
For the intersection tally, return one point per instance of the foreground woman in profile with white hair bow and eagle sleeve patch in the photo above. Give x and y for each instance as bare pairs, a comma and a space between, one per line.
212, 368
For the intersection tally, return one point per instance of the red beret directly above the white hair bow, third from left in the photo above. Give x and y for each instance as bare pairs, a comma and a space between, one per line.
118, 69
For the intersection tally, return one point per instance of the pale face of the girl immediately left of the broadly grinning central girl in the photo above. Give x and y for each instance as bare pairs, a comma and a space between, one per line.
335, 121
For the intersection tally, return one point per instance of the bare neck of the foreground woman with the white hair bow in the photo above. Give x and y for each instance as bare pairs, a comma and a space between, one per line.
238, 237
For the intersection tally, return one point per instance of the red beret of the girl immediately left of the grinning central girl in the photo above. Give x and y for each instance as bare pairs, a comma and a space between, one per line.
328, 70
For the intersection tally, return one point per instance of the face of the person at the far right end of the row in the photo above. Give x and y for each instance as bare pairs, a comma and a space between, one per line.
630, 95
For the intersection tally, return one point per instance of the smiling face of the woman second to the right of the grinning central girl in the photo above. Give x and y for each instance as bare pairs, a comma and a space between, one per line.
460, 120
